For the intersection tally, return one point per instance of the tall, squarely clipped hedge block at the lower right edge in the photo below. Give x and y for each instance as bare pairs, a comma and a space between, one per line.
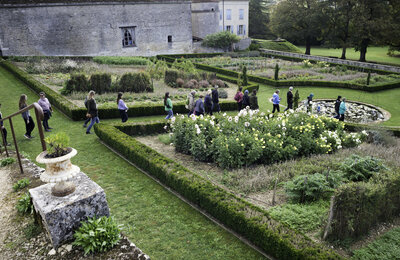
359, 206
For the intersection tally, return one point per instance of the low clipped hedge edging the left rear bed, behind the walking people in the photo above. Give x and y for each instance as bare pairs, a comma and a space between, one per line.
78, 113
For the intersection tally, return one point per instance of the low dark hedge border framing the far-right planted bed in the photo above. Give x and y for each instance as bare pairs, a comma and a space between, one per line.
285, 83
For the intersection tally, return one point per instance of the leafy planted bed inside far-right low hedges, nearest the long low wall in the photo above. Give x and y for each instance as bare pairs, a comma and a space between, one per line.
292, 70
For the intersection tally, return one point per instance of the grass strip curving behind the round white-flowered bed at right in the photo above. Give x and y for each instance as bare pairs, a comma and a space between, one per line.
387, 99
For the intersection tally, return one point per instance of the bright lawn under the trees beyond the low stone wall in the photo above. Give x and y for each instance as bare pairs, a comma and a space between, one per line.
374, 54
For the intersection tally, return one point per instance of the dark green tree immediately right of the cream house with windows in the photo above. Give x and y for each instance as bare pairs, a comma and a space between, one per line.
258, 19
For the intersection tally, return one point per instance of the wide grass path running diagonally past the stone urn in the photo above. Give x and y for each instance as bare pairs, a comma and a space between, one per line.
158, 222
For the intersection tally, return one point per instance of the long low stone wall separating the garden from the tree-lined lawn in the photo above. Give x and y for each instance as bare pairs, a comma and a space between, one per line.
333, 60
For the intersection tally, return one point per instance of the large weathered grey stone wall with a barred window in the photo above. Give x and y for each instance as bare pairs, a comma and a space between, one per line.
92, 29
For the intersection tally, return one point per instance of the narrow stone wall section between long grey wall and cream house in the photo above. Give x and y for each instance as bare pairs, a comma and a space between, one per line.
205, 18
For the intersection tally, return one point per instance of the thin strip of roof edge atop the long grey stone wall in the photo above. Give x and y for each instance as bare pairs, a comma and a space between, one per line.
30, 2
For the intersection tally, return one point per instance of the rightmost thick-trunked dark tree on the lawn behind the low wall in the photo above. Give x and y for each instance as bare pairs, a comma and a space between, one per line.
370, 25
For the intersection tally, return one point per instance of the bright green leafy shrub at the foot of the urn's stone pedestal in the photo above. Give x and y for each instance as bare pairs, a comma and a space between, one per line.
97, 234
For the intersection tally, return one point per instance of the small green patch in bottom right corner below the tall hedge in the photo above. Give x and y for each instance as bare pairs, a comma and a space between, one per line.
386, 247
